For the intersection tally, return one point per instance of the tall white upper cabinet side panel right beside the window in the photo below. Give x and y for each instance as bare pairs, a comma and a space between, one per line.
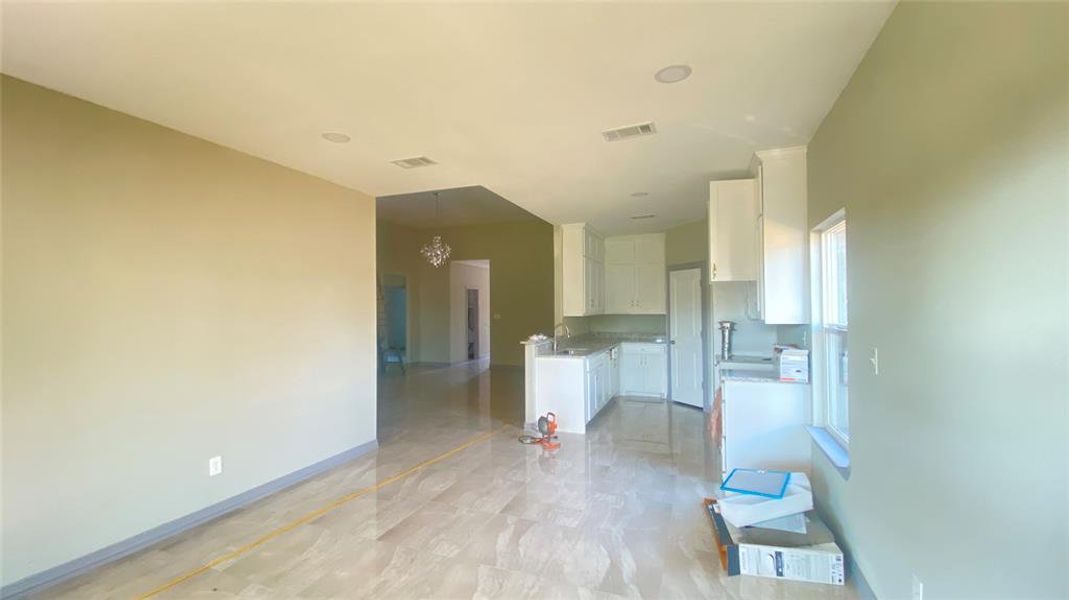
783, 238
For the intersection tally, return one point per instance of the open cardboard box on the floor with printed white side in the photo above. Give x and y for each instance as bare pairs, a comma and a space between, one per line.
768, 553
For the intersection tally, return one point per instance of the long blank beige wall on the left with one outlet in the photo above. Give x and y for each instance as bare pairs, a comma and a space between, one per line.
165, 301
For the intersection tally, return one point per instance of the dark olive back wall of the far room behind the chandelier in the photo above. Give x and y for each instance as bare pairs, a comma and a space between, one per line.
521, 283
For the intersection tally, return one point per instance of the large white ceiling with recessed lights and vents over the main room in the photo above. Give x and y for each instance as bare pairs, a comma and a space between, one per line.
506, 96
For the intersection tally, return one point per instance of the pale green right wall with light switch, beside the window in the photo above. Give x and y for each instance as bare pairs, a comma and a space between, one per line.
949, 150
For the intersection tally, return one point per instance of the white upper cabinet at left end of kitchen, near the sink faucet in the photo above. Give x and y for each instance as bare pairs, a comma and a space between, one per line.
583, 269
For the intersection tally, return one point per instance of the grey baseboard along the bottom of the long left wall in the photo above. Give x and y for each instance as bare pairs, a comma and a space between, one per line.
112, 553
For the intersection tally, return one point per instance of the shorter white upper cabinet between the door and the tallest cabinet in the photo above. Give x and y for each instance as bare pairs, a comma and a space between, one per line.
733, 232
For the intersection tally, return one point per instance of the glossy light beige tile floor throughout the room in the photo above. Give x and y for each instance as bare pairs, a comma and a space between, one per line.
614, 514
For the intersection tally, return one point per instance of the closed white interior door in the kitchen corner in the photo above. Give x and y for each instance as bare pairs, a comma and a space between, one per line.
685, 293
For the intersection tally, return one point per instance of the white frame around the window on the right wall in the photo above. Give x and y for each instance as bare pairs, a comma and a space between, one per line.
820, 329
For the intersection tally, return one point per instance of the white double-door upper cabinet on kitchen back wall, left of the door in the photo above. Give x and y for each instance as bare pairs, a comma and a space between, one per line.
636, 274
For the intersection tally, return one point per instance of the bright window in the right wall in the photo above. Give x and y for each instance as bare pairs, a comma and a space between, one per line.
830, 328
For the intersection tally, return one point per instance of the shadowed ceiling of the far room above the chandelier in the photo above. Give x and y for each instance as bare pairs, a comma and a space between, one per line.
463, 206
